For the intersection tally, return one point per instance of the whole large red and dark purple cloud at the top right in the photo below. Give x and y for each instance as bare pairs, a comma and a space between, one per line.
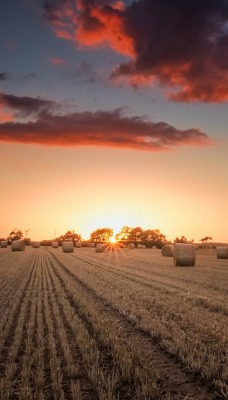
180, 44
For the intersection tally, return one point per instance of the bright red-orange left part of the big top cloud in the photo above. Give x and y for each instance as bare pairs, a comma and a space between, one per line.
91, 23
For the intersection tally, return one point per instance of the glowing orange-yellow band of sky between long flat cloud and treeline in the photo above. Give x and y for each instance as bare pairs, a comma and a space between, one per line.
47, 189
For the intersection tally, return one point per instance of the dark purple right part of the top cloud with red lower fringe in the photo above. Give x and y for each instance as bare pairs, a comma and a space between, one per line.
182, 44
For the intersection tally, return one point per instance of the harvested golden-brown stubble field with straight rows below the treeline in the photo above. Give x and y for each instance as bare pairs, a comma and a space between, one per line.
124, 324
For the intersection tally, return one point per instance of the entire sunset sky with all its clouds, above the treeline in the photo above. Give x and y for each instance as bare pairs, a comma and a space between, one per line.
114, 113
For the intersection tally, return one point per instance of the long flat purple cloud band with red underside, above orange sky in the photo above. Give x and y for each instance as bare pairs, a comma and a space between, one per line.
114, 129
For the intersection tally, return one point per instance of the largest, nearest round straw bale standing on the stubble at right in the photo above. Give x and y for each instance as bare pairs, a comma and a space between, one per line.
184, 255
